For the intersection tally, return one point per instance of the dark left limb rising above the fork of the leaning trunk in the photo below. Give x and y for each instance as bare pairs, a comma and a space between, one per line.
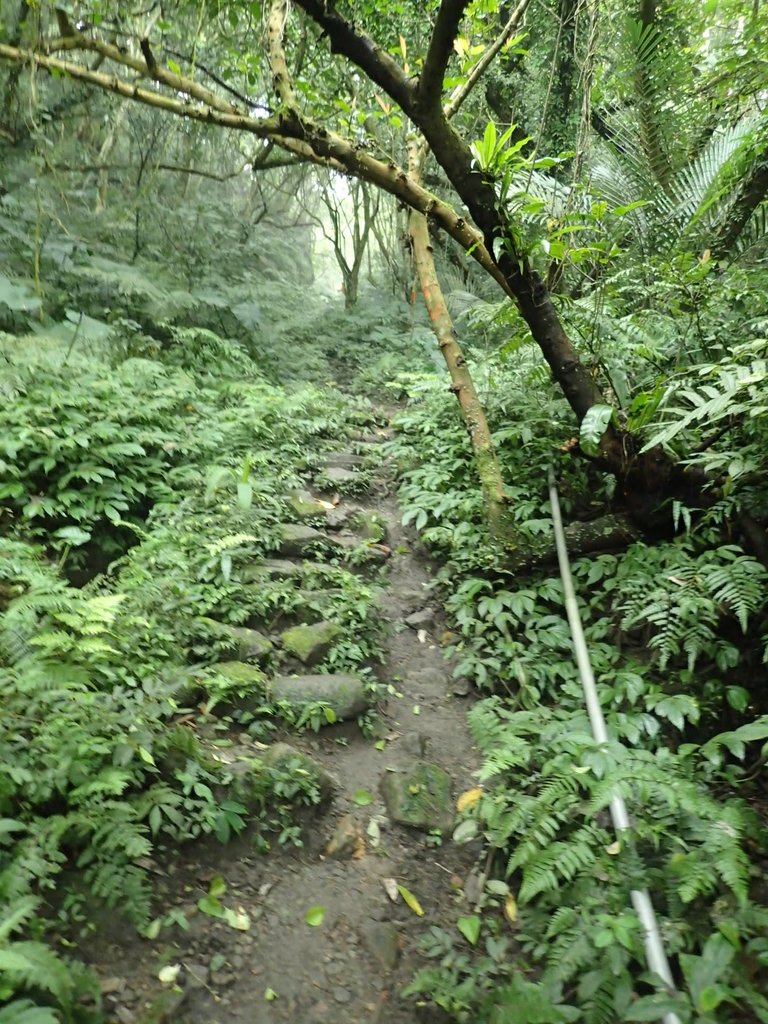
362, 51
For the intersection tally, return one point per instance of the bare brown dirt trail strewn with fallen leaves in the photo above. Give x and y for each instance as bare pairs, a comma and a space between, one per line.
354, 966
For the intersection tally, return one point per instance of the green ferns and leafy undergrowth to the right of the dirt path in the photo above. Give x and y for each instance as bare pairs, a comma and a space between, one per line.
676, 637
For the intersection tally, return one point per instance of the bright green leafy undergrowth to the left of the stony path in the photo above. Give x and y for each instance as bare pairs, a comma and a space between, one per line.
145, 481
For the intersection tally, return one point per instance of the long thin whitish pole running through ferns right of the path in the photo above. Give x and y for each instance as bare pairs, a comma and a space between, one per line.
655, 952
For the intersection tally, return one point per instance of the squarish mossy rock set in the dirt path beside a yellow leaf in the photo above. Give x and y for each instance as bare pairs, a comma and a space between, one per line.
419, 798
